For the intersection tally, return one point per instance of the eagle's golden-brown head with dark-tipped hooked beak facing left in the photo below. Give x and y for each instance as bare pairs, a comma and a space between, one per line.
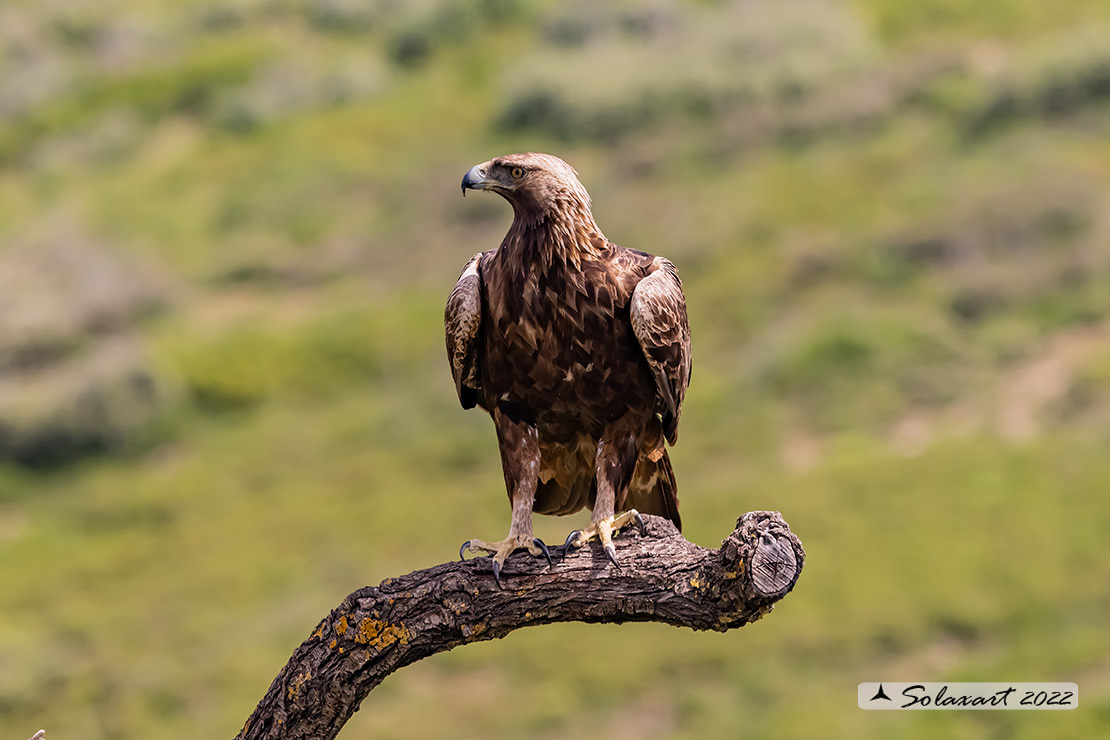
537, 185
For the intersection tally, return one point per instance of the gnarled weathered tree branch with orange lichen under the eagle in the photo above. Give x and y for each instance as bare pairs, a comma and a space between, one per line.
663, 577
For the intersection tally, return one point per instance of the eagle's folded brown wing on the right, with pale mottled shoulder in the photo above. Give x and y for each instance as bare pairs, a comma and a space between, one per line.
660, 323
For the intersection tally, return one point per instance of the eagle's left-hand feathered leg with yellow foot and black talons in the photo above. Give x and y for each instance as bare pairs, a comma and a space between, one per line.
520, 460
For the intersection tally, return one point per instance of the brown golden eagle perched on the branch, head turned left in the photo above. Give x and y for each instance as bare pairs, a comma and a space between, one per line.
580, 350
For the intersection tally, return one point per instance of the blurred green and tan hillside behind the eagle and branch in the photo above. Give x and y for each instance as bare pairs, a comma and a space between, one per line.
228, 229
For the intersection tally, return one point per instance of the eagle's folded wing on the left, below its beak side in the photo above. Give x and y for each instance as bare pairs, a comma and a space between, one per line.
462, 320
